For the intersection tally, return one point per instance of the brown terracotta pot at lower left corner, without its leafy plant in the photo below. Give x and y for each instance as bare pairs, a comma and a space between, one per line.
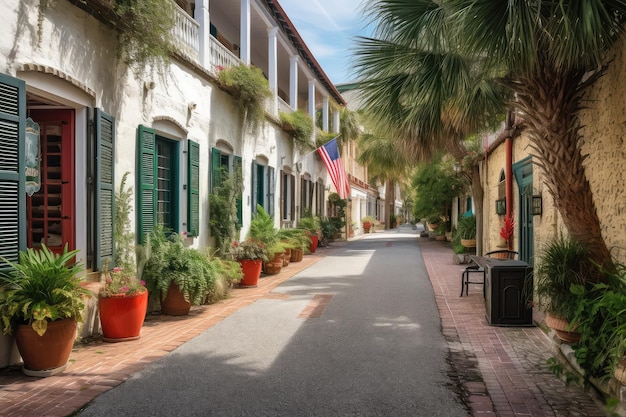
46, 355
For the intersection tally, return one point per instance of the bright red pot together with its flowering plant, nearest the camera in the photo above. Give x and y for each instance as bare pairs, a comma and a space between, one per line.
122, 304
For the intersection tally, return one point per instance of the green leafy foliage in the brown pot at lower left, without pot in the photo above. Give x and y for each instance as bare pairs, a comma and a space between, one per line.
42, 287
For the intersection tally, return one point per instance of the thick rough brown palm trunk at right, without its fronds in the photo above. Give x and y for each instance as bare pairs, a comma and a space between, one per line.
551, 102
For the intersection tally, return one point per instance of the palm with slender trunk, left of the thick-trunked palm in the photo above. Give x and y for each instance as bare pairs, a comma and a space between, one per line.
427, 94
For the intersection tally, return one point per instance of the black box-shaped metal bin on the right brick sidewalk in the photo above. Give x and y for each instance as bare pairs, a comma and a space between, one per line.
508, 292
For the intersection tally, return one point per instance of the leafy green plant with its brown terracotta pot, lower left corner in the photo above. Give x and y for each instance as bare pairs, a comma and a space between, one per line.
41, 301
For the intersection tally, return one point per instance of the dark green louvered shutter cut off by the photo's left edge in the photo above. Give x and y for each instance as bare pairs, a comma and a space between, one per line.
12, 171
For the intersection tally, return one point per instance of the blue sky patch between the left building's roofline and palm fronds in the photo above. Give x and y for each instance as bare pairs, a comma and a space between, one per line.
328, 27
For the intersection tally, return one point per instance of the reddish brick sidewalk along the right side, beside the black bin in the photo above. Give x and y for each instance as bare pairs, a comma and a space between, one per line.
503, 369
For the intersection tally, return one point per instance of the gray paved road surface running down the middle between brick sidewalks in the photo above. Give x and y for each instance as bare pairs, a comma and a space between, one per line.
377, 349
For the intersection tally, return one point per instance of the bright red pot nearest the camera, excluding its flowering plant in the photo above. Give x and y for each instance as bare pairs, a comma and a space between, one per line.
121, 317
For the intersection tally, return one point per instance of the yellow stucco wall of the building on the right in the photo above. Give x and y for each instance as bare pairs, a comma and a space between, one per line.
604, 142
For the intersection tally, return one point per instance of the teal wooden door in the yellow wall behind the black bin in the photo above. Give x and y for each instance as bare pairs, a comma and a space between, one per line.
523, 171
